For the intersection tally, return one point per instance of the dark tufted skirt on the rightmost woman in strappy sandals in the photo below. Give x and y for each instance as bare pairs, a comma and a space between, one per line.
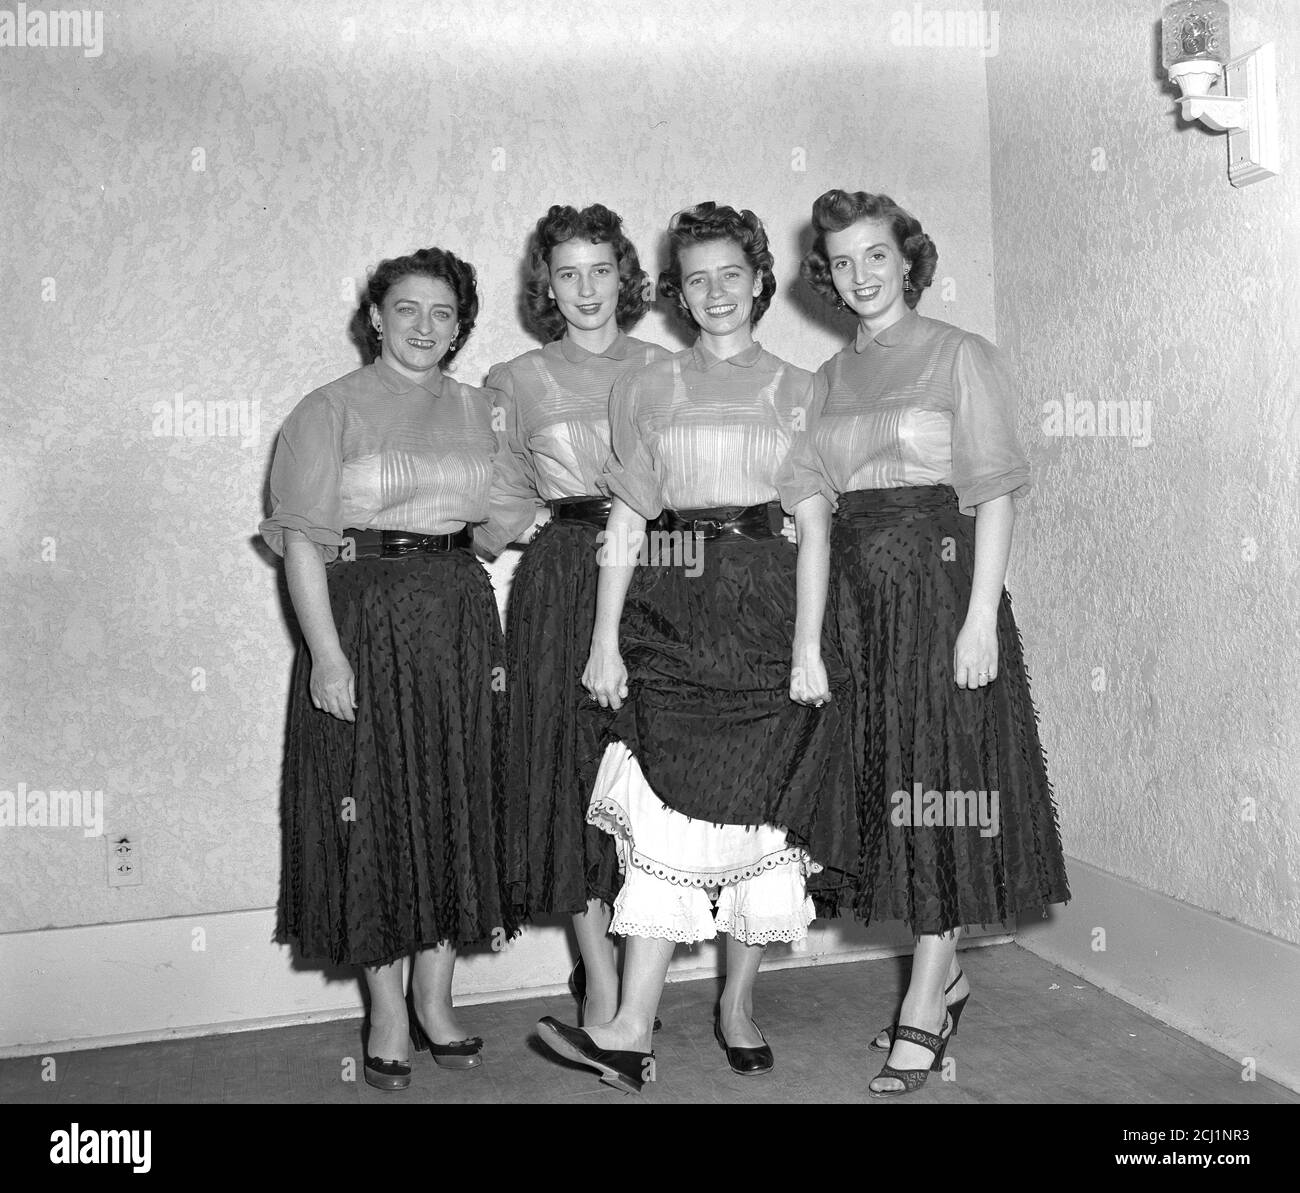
902, 565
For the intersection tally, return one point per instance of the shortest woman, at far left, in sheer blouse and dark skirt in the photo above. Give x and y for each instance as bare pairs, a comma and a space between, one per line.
391, 804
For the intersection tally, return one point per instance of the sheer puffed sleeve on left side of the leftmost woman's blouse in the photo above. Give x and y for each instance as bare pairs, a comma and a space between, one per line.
306, 474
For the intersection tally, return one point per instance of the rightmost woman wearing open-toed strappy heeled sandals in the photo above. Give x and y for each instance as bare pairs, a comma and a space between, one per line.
913, 431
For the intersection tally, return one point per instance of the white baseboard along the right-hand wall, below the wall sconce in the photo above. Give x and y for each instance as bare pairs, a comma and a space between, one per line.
1221, 983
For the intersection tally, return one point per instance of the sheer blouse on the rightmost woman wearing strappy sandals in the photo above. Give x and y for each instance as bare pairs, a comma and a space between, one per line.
920, 404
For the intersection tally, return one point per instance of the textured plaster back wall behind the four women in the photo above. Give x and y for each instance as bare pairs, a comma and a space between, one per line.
190, 214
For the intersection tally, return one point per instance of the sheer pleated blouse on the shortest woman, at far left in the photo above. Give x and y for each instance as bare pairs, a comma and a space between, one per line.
376, 450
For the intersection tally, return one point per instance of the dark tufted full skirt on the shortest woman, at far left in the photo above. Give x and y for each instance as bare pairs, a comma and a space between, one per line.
392, 828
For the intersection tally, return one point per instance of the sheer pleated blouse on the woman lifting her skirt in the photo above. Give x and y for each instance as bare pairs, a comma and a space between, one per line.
695, 432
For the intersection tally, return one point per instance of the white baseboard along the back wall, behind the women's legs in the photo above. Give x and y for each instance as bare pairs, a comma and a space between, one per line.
111, 984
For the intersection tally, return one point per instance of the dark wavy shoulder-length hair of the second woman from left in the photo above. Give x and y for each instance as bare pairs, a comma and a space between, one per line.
599, 225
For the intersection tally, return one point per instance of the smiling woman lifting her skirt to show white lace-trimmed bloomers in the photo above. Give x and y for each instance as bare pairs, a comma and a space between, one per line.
726, 782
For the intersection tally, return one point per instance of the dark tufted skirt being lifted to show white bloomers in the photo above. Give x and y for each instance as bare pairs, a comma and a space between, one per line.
710, 717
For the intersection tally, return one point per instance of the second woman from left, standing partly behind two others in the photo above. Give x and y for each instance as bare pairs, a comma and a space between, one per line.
584, 288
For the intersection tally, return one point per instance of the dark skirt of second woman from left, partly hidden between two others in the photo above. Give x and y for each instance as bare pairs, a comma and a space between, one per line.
556, 861
